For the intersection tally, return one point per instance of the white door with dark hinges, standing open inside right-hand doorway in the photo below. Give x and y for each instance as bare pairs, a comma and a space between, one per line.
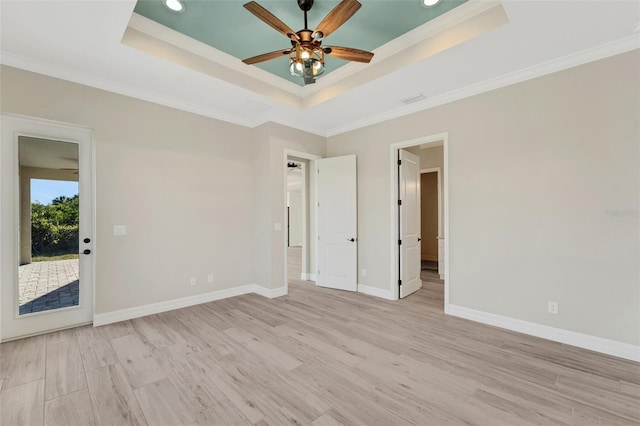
409, 209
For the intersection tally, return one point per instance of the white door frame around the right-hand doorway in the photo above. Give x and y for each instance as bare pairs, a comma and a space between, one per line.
393, 182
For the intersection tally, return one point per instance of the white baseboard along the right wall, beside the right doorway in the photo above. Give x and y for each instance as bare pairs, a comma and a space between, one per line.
585, 341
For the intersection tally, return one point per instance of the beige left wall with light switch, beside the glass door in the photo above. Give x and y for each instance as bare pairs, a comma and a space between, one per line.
163, 173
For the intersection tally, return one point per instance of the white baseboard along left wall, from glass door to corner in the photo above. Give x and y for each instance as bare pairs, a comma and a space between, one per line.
183, 302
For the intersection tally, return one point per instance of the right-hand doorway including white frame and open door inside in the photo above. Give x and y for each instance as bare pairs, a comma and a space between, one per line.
421, 215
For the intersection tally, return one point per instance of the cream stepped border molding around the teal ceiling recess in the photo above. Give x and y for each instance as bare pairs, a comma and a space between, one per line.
456, 26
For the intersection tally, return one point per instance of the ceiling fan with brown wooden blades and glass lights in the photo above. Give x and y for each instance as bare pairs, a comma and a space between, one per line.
306, 52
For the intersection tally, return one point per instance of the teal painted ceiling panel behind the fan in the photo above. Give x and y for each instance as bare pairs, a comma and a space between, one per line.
230, 28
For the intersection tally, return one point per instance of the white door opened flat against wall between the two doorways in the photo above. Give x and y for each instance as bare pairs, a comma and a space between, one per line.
337, 223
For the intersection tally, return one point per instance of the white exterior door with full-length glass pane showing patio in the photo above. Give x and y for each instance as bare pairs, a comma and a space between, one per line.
45, 291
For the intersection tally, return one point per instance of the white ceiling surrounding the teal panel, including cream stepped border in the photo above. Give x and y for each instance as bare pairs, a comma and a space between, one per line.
461, 53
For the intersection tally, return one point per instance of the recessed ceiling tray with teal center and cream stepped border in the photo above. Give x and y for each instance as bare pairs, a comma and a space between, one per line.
457, 22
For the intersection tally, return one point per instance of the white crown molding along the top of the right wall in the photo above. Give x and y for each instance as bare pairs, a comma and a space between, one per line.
572, 60
